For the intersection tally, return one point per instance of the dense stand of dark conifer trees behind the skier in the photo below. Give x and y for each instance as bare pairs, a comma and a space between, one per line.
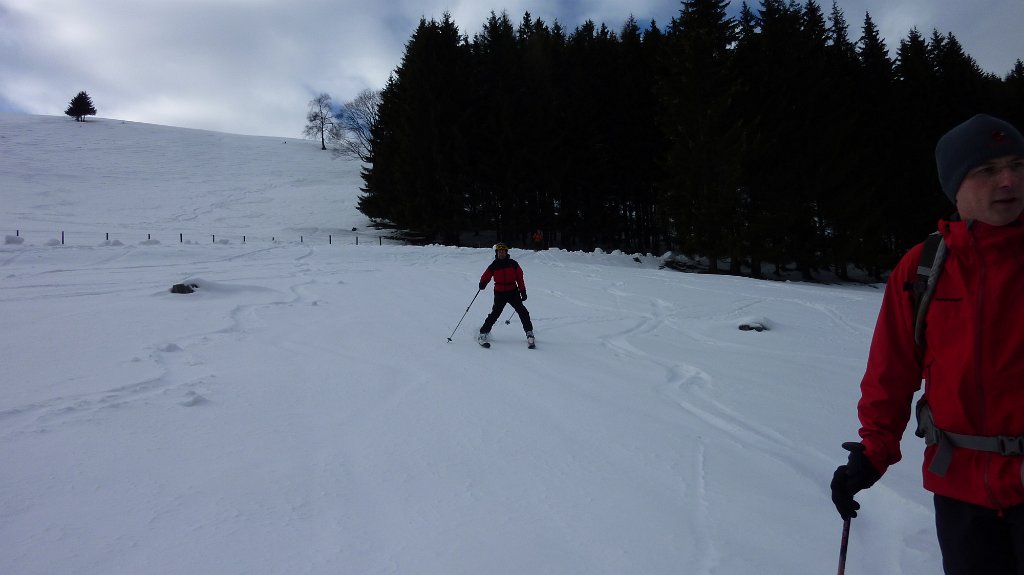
781, 138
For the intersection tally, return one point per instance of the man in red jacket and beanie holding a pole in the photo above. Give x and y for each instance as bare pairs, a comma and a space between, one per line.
970, 356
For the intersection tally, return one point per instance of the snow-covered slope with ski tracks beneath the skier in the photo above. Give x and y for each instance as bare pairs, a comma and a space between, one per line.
305, 413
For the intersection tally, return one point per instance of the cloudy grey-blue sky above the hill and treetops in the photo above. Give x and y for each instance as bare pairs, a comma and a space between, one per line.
251, 67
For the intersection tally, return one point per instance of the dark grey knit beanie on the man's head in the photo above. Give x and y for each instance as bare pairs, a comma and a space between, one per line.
972, 144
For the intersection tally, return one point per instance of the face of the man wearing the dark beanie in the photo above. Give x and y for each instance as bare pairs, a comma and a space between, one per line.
994, 193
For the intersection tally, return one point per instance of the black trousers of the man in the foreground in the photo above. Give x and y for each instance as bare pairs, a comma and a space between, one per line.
978, 541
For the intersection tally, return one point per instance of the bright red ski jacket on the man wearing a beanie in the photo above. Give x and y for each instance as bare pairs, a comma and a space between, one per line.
972, 365
